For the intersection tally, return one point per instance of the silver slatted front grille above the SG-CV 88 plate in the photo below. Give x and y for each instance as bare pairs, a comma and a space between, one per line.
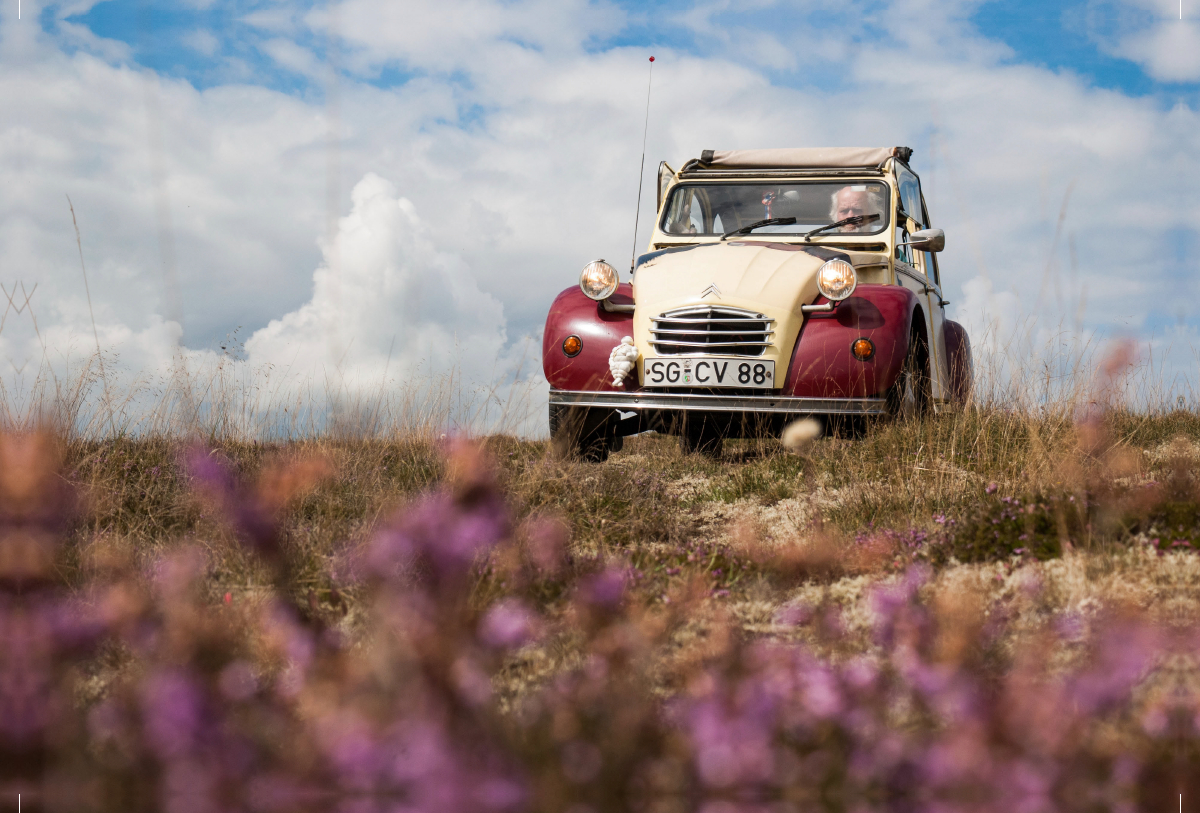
710, 329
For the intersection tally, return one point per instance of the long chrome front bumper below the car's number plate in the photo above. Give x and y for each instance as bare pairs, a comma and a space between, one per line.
748, 406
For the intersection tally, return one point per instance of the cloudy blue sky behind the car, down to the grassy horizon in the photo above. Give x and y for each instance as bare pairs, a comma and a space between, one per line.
369, 194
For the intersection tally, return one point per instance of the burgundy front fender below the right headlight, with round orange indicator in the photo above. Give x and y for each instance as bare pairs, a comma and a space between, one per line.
823, 363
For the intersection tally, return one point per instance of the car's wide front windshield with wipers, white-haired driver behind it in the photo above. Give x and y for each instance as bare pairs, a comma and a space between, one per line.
717, 209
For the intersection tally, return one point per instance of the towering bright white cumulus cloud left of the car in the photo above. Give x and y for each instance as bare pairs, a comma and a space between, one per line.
386, 300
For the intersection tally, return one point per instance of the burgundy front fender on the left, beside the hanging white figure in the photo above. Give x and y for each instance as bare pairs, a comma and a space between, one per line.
575, 315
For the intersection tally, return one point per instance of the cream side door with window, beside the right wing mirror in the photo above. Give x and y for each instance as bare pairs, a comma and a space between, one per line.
919, 273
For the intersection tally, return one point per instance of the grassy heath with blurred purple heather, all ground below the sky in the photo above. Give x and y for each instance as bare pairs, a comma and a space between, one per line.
993, 609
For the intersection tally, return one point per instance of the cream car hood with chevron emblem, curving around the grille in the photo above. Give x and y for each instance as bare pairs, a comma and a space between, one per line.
771, 279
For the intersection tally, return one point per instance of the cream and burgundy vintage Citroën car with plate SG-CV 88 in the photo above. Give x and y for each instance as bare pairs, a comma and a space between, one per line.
778, 284
